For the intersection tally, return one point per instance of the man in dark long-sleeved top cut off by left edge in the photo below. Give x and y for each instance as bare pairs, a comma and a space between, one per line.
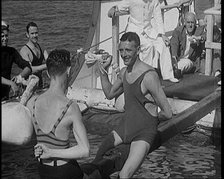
9, 55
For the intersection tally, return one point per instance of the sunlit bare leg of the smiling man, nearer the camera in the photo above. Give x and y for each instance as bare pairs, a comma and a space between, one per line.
138, 151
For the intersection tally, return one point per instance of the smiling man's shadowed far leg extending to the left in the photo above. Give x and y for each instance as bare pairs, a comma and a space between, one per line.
110, 141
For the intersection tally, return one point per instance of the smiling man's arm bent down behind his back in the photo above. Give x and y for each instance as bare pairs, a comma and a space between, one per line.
152, 83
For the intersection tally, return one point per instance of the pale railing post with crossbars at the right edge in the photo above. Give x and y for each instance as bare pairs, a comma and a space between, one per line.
209, 44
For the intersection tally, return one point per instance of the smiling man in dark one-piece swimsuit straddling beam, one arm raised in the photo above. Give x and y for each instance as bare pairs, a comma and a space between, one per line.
143, 95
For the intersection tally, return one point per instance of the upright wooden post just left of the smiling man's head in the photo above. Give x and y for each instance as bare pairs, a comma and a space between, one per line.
115, 40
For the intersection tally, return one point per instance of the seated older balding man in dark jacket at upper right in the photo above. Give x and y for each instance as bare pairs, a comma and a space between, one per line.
187, 44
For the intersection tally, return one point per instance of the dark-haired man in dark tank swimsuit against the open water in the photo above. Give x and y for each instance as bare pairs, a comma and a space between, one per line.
33, 53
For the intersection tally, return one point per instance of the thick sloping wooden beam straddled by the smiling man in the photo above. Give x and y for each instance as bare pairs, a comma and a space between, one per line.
166, 131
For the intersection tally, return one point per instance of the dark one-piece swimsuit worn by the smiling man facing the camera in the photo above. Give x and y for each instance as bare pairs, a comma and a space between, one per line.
138, 123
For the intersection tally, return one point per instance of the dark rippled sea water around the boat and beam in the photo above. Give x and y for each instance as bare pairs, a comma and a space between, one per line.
65, 24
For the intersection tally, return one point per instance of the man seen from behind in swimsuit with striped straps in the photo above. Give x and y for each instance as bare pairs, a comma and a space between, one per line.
54, 116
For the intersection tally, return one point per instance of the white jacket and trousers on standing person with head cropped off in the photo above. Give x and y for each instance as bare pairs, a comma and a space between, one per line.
146, 20
